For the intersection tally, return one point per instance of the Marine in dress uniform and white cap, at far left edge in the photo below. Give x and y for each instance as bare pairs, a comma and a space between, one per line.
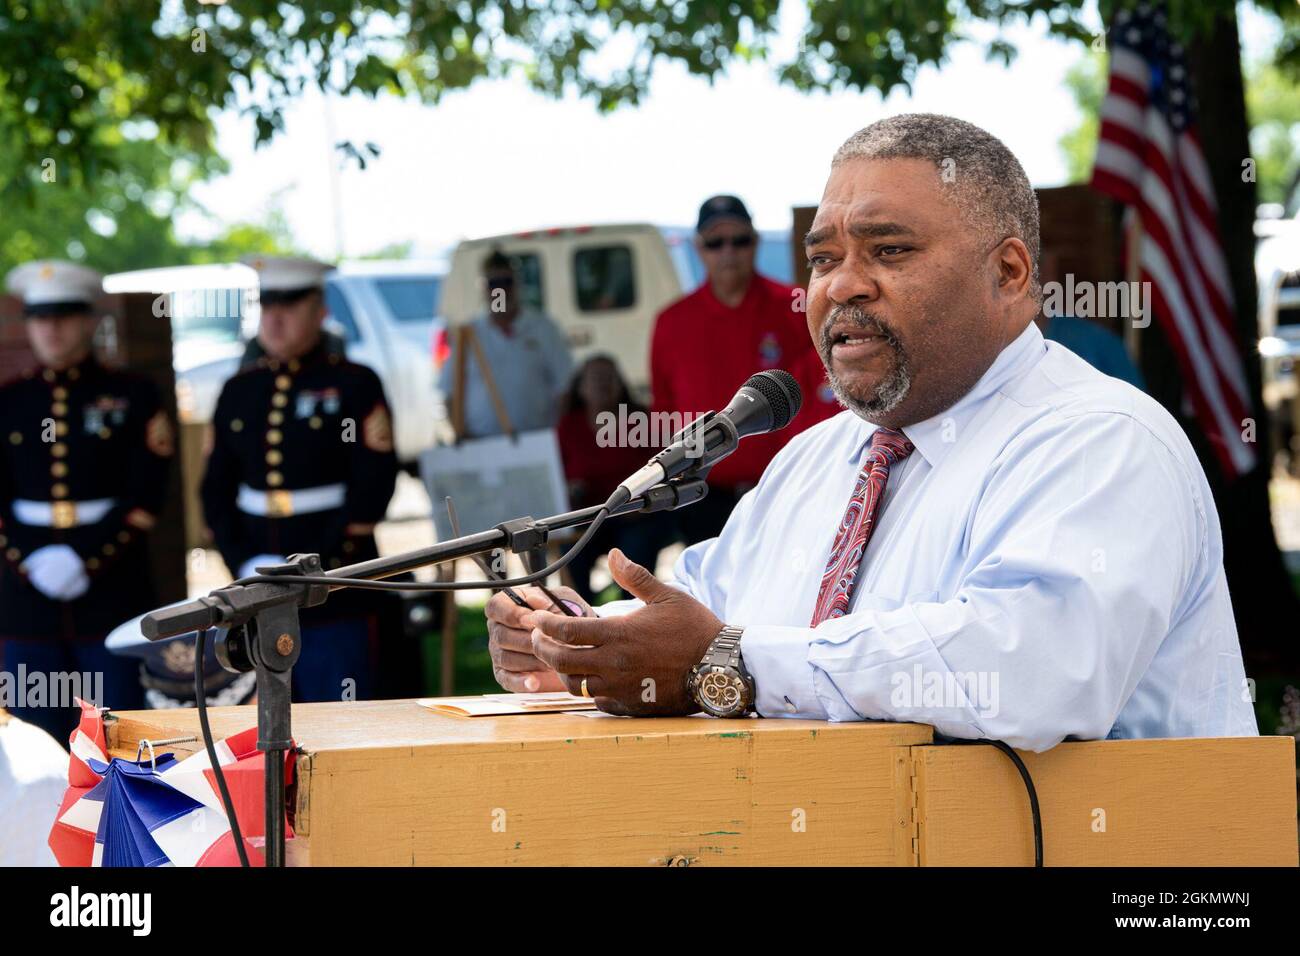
85, 453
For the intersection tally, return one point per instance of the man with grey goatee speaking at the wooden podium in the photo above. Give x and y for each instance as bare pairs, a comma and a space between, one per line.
994, 539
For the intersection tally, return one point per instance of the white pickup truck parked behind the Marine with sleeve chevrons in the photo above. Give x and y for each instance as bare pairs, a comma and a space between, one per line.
384, 312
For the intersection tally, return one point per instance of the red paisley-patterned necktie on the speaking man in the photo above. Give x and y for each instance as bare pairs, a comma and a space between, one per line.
857, 525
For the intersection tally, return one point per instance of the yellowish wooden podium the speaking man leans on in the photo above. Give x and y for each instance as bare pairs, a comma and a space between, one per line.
395, 784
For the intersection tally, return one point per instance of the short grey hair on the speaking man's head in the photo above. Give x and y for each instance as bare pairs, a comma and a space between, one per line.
987, 183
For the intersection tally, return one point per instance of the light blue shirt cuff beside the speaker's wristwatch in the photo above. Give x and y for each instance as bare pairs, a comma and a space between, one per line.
785, 682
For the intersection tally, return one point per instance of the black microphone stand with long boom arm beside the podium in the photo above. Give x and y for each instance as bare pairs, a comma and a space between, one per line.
263, 630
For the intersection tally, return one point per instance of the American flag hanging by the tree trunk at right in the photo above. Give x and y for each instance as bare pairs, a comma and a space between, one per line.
1150, 158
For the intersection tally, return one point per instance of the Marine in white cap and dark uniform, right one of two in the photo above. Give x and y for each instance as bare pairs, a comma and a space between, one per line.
301, 461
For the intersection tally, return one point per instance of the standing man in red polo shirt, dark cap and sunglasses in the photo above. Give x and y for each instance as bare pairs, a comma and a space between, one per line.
709, 343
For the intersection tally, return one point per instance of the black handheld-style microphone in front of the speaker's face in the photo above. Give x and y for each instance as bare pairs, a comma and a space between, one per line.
766, 403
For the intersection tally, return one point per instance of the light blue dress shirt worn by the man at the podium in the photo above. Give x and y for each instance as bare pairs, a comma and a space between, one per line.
1046, 565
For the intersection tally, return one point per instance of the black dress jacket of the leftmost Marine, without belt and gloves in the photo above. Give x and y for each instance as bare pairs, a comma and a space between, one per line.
84, 434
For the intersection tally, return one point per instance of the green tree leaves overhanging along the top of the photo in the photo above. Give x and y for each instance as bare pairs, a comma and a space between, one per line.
73, 72
